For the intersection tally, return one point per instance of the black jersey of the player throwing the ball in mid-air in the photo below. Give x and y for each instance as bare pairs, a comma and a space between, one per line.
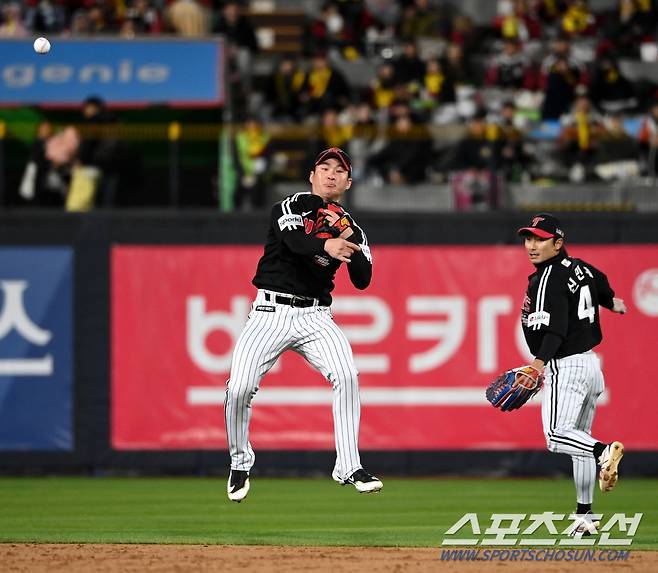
295, 261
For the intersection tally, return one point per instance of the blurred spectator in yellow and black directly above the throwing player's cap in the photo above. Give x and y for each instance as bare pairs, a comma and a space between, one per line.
325, 87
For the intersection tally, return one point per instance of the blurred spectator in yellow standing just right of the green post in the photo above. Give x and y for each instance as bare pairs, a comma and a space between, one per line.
252, 142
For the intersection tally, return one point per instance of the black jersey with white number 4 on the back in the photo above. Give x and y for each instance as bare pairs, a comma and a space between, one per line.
563, 298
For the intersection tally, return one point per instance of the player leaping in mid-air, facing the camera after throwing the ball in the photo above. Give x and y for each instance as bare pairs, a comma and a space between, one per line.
309, 236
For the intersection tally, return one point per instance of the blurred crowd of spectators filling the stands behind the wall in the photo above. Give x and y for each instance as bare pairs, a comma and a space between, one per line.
541, 92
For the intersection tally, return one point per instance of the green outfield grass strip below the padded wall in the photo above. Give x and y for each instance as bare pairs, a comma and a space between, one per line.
408, 512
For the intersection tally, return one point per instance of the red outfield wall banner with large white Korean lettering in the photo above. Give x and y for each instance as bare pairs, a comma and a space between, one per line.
434, 328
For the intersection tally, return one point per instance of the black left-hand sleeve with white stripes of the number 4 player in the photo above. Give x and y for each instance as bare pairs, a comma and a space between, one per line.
551, 307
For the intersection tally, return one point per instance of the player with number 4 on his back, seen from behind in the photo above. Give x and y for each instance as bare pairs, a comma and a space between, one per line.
560, 319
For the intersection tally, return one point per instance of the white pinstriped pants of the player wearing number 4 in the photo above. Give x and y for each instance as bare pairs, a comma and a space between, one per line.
572, 386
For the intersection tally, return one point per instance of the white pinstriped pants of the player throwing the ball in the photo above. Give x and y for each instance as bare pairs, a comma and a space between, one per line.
312, 333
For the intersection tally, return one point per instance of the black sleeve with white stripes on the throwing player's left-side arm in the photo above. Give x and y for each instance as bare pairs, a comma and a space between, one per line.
288, 224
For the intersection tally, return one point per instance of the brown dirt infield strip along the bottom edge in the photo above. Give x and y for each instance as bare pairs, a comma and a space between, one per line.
78, 558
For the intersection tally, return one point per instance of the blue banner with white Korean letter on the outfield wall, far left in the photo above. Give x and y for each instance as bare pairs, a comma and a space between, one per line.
36, 348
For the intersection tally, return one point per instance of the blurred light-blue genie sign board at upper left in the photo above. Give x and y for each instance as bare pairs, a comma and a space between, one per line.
122, 72
